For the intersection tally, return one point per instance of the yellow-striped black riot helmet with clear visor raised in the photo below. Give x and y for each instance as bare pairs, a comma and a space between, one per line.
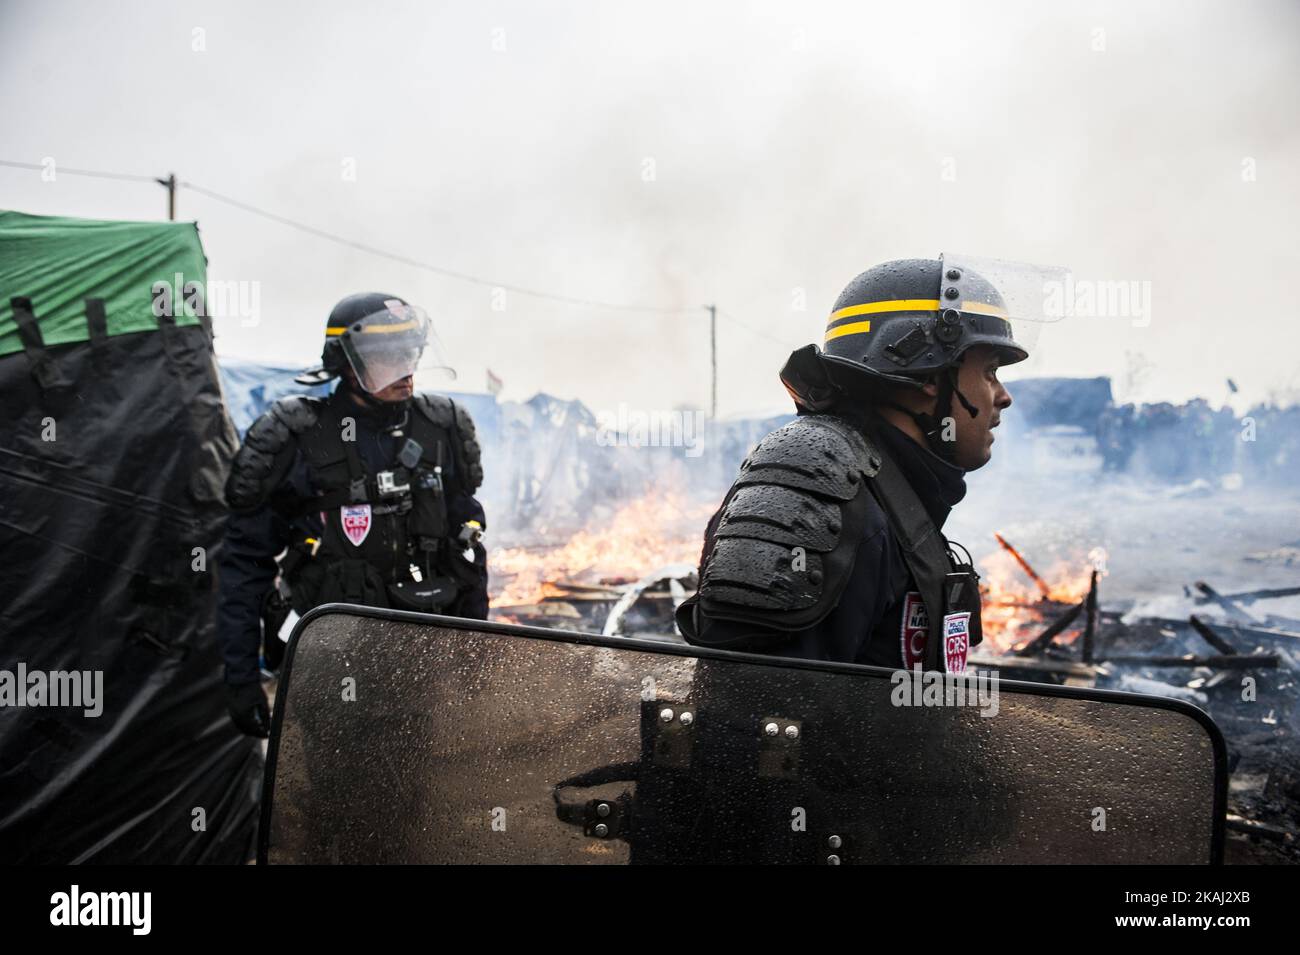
911, 322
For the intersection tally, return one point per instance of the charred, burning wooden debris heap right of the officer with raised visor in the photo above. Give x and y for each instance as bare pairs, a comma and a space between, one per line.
1241, 670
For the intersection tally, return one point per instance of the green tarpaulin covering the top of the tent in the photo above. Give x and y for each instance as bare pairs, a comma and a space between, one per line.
59, 263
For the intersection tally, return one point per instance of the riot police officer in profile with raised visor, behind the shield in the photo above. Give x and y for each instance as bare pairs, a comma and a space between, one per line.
829, 546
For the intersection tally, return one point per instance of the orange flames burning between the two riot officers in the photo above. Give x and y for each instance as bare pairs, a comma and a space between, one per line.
661, 528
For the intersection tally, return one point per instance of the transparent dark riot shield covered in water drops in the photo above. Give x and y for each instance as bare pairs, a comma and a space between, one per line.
411, 739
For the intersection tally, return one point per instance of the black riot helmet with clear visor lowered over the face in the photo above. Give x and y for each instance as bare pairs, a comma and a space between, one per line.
382, 337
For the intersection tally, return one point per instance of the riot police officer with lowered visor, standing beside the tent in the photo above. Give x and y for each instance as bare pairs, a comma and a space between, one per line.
367, 494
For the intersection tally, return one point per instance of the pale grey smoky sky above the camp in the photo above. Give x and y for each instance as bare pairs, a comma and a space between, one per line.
794, 145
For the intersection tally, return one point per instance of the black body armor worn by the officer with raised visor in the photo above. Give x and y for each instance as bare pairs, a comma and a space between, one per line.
782, 549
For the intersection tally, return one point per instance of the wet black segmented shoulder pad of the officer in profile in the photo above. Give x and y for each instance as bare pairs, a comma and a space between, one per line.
790, 529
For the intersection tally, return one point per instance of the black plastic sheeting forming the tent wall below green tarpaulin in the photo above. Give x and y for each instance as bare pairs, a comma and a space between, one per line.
99, 572
